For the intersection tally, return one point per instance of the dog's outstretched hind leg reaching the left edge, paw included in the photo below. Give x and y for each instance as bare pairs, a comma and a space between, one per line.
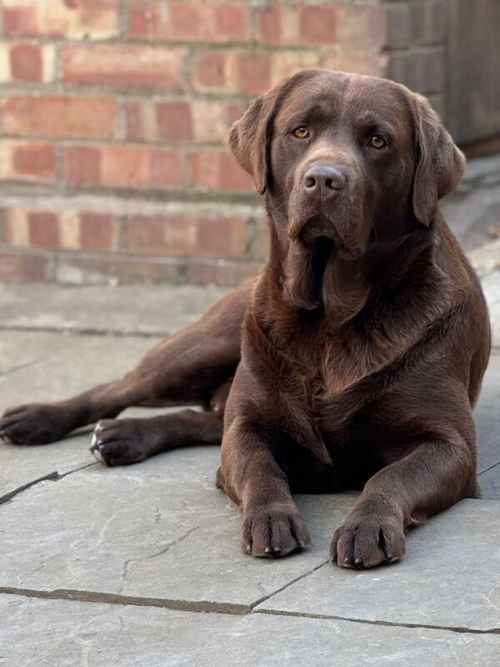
187, 368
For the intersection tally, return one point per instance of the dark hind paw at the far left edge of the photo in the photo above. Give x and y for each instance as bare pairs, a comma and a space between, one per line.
35, 424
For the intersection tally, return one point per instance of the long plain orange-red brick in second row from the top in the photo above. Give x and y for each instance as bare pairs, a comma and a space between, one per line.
123, 65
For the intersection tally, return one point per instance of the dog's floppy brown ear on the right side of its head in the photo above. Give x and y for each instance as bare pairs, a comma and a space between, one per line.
440, 163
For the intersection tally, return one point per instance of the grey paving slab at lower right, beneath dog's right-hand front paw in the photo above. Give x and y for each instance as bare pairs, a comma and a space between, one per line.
449, 578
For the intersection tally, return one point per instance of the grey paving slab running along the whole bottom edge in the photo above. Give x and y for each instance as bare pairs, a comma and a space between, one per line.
45, 633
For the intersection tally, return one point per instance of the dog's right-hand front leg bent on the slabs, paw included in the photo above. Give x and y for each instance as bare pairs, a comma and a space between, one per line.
434, 476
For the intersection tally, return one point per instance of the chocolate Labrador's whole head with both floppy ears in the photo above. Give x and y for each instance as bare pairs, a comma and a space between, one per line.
352, 159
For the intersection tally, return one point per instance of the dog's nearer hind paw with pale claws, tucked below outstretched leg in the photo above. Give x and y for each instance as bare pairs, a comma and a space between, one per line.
118, 442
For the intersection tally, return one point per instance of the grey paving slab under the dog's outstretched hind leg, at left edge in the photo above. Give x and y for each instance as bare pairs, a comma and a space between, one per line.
46, 367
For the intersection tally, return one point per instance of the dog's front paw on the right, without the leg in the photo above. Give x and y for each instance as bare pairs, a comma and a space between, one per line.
367, 541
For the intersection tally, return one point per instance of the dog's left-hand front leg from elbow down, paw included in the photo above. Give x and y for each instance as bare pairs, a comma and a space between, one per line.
271, 522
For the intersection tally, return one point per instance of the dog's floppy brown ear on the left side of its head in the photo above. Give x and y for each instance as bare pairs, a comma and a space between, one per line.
250, 137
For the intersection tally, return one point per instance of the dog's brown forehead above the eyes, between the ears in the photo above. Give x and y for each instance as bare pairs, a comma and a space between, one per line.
351, 95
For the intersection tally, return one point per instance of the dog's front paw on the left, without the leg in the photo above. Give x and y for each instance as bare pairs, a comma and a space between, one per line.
273, 532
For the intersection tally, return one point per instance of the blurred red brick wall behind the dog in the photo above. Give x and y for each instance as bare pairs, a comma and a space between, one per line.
114, 114
